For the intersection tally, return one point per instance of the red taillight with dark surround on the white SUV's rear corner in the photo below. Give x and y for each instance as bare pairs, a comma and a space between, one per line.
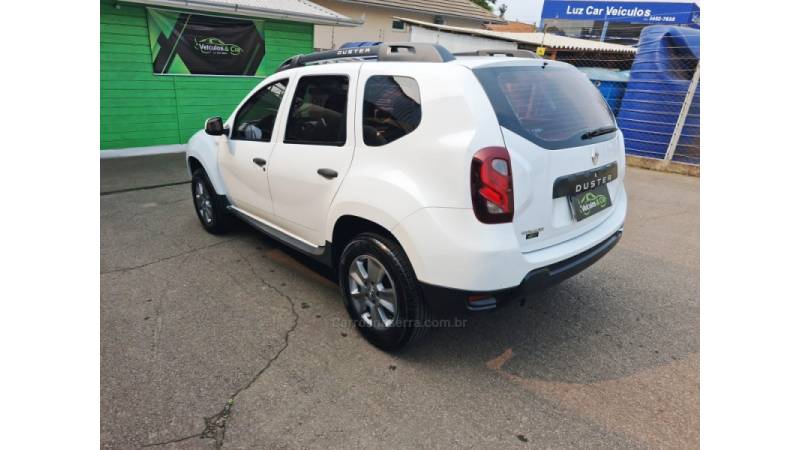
492, 185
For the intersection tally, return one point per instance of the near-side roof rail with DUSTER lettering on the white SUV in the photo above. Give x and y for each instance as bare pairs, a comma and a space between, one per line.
403, 51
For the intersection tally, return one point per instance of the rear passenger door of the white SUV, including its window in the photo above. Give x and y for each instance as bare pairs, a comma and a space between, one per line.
314, 150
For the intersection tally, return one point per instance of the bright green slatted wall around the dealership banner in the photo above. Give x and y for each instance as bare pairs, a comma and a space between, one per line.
139, 109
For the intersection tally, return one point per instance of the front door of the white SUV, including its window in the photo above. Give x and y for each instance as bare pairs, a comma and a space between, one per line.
243, 161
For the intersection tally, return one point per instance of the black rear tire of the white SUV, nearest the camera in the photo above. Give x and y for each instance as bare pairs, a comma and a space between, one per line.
411, 318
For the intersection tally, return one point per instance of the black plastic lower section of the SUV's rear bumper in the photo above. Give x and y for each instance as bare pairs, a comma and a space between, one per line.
455, 302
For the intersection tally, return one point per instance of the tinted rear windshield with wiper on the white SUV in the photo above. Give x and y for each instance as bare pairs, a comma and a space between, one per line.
552, 106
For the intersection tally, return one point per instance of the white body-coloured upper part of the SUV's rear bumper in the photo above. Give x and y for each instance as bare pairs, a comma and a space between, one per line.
449, 247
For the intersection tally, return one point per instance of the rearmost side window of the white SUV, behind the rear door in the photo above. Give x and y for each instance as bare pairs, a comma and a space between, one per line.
391, 109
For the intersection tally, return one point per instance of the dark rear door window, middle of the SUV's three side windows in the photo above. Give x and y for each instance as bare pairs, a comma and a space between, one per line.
318, 114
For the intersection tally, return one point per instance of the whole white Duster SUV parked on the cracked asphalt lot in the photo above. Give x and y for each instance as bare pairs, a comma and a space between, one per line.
435, 184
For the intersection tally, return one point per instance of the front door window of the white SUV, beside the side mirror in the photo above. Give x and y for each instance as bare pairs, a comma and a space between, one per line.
256, 118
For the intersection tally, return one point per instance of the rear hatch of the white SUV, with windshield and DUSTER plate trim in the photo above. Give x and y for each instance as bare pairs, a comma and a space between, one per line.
564, 146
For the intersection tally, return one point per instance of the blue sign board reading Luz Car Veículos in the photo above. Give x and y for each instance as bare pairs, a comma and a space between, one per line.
629, 12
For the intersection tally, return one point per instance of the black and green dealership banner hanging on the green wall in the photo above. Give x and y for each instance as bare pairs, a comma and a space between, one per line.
184, 43
